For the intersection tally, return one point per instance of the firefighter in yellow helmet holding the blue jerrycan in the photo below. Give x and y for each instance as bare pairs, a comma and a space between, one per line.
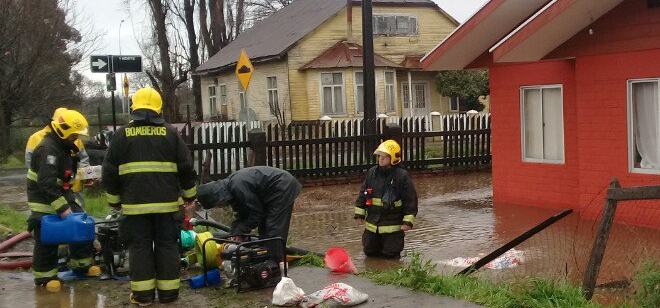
51, 172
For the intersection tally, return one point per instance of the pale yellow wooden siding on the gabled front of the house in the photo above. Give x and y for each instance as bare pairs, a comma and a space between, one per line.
304, 87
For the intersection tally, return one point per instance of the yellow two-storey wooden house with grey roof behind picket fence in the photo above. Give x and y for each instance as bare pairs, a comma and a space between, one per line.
308, 63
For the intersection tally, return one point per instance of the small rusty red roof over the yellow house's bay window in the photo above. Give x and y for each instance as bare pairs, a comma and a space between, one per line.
345, 54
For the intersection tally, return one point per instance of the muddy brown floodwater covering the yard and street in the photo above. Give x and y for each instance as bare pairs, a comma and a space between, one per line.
456, 219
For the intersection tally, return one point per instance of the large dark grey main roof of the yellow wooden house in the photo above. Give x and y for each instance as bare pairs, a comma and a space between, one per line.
274, 36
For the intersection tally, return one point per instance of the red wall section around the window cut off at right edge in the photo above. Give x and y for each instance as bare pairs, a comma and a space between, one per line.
602, 122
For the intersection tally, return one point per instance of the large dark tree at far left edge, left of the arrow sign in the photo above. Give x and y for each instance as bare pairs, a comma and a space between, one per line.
38, 48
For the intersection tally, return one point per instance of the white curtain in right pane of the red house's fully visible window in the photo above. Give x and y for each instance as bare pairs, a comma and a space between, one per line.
553, 139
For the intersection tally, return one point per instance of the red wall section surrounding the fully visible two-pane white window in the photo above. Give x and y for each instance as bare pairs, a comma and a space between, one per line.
515, 182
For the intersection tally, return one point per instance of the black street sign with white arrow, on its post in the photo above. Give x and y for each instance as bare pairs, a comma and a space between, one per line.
114, 64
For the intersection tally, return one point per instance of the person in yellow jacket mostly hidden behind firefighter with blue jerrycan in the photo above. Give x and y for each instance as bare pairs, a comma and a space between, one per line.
81, 155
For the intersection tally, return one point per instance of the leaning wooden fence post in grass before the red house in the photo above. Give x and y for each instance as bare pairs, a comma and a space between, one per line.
598, 250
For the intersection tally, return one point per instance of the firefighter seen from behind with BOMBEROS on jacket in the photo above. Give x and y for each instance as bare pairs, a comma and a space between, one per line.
148, 173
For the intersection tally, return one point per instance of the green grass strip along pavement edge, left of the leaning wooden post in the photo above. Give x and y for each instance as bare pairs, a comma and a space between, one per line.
525, 293
